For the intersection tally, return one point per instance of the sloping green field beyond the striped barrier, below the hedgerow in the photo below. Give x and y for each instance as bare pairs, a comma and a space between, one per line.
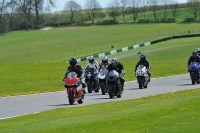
59, 44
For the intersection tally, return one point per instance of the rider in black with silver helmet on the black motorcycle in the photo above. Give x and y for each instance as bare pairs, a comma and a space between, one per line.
117, 66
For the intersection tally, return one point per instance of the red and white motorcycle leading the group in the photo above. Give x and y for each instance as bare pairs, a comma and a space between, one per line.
74, 88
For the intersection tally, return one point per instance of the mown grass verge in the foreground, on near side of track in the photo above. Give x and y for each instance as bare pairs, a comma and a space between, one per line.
171, 112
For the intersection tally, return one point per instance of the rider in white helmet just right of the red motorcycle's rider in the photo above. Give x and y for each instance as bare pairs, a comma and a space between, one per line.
93, 64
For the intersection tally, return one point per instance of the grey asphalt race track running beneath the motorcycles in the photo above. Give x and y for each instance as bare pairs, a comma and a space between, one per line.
30, 104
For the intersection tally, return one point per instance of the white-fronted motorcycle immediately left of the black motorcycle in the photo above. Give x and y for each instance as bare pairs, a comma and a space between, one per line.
102, 81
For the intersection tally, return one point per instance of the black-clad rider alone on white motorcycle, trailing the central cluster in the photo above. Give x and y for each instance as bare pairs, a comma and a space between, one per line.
145, 62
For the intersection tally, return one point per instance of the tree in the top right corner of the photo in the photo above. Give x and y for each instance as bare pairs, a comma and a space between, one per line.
194, 7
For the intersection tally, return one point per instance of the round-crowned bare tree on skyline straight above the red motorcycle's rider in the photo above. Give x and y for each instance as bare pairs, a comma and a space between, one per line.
72, 7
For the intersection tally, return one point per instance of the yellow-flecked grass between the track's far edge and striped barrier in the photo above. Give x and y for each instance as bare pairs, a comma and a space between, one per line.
30, 78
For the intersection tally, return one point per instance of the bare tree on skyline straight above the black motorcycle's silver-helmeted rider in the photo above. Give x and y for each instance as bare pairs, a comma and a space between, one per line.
113, 9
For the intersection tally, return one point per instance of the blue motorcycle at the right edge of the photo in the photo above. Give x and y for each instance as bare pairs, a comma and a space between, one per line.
194, 70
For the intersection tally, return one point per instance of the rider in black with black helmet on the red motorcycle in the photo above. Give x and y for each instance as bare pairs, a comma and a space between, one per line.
75, 67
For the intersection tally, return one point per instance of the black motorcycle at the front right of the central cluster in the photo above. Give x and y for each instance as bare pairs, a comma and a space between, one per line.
114, 84
